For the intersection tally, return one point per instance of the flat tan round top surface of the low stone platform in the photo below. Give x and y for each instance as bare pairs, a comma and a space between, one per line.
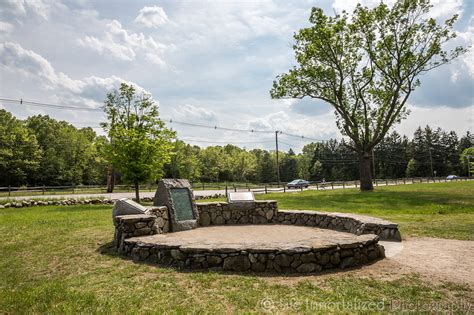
255, 238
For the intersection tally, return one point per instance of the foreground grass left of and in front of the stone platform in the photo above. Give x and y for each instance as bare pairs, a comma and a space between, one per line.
53, 260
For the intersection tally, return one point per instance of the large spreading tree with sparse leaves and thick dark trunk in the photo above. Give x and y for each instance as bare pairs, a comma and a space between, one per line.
366, 66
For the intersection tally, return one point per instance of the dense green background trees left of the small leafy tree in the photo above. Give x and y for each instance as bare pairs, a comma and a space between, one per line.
41, 150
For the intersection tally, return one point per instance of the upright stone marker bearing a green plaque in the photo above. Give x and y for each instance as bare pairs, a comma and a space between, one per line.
176, 194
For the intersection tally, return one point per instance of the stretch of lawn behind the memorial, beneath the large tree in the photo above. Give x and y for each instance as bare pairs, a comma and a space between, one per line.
443, 210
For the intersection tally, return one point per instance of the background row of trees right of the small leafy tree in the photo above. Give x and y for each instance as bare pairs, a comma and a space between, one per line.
430, 151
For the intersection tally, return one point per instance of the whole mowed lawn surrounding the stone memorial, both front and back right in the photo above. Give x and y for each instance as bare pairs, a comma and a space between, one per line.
56, 259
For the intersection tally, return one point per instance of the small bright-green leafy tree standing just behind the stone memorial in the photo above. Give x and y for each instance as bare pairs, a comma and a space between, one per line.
140, 144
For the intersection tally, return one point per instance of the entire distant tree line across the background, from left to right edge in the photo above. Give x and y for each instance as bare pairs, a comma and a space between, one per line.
43, 151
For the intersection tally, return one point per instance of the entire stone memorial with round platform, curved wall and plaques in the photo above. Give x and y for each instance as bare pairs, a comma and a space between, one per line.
244, 234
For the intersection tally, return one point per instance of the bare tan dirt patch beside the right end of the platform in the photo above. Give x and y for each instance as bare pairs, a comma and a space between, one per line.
433, 259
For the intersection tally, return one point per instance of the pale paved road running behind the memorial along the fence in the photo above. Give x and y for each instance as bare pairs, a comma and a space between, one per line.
196, 192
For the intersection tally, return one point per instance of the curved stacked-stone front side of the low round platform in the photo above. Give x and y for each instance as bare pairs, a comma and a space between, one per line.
293, 260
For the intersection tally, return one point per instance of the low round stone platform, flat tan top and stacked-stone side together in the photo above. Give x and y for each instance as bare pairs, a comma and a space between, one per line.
272, 248
